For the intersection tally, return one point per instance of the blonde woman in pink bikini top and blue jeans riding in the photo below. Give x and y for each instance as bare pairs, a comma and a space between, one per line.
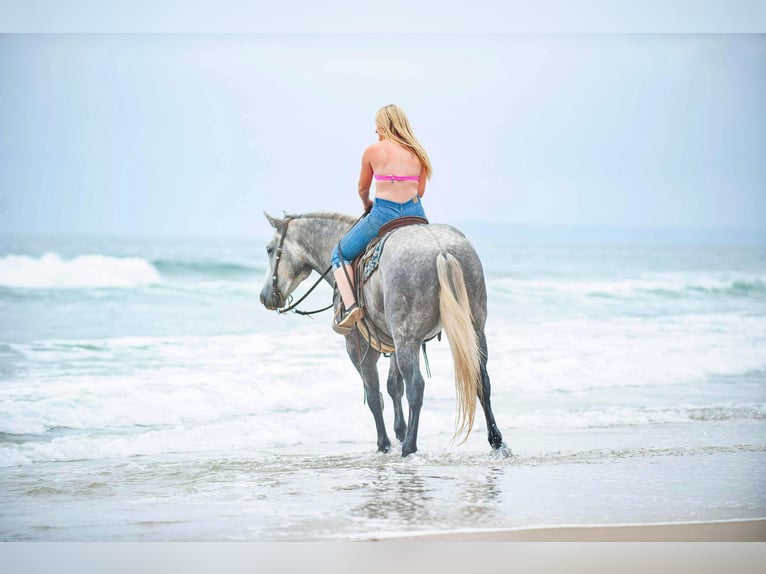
401, 167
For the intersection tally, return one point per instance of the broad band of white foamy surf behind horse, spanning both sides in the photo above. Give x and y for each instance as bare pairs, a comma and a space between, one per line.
149, 395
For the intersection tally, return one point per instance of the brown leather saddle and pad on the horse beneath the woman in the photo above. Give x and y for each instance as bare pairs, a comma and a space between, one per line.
363, 267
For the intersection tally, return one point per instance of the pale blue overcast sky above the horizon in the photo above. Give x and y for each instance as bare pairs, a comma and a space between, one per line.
199, 134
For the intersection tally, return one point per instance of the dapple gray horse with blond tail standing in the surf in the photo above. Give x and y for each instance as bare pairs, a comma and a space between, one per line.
429, 278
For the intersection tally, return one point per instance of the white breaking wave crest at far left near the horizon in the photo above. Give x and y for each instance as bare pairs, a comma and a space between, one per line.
52, 272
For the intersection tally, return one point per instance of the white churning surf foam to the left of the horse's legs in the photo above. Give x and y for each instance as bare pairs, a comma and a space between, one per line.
165, 381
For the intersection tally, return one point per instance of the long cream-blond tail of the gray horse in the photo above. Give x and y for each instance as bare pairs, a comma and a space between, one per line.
457, 320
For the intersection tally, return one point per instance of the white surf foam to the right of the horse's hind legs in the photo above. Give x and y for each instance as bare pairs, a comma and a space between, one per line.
576, 355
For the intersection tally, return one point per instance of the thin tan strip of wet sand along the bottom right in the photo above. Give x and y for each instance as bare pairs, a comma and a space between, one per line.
728, 531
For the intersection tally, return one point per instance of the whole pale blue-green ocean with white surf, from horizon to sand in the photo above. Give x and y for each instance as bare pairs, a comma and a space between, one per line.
145, 394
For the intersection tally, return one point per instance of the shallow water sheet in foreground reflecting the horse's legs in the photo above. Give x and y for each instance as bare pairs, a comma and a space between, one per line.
359, 495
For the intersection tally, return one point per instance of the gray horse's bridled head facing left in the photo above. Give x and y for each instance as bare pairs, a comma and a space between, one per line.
288, 264
